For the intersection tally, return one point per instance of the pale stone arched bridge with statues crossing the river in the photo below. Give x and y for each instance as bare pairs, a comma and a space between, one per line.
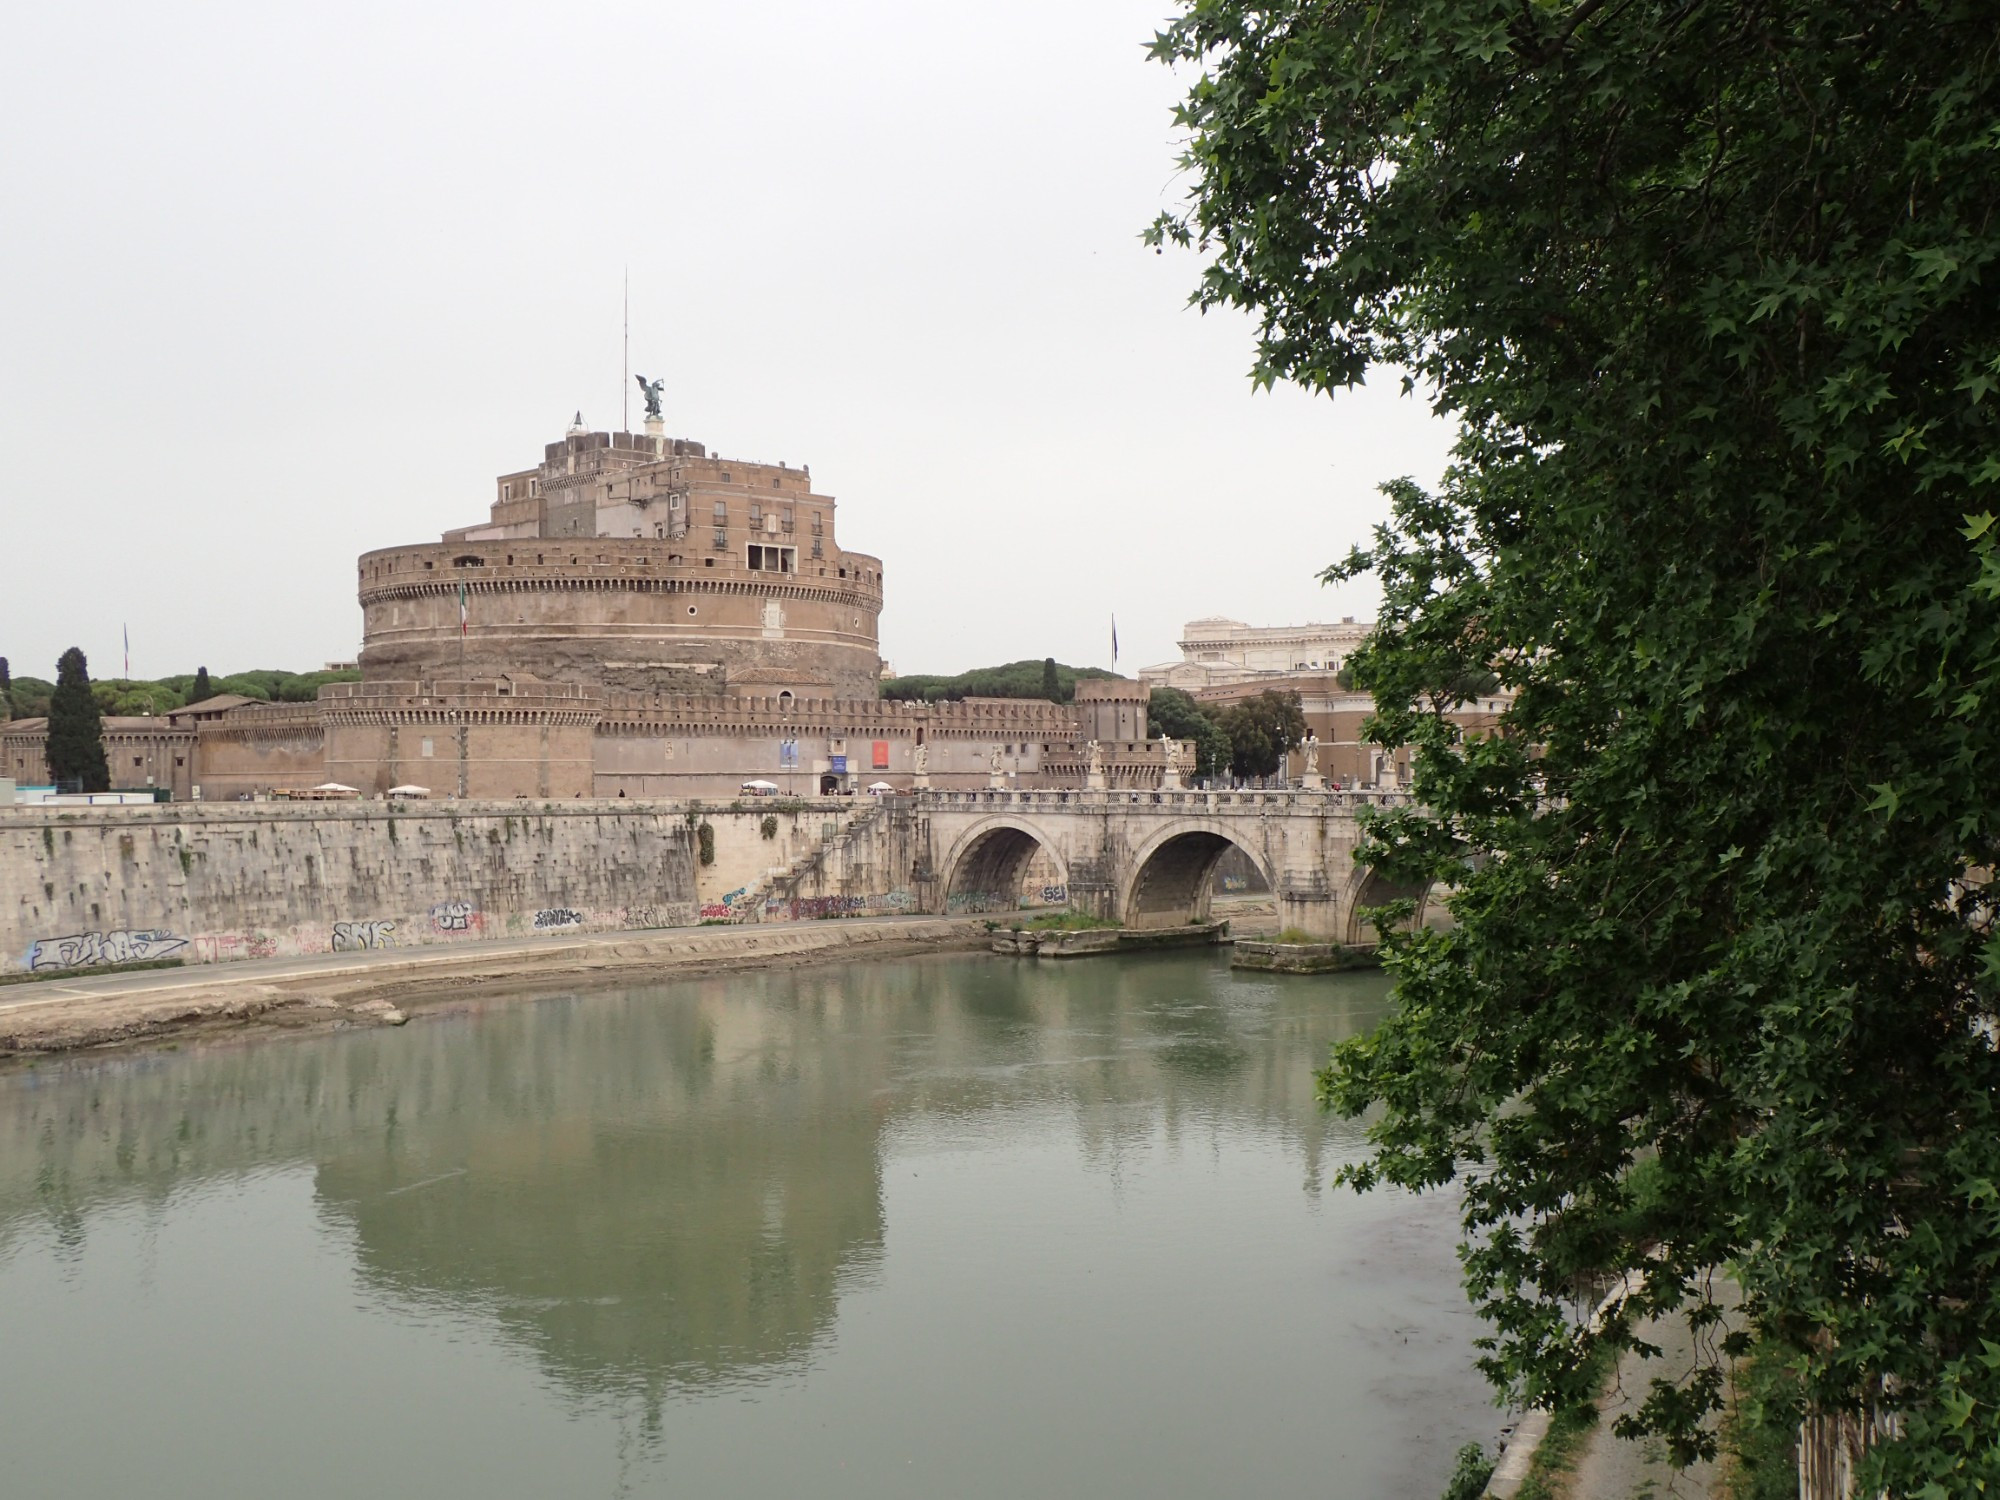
1147, 859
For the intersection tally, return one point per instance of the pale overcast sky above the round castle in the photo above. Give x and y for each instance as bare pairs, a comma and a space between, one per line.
289, 283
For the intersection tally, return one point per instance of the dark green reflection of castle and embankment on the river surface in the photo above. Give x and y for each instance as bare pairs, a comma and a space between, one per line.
671, 1191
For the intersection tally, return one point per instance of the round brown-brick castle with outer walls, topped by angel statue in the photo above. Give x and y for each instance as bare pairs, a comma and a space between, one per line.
635, 619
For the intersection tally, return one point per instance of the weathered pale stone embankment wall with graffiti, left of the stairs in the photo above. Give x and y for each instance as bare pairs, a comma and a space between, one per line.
201, 883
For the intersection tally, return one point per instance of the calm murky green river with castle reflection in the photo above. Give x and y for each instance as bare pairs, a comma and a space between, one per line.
951, 1227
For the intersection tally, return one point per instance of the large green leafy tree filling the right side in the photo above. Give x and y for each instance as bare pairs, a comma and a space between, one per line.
1711, 291
